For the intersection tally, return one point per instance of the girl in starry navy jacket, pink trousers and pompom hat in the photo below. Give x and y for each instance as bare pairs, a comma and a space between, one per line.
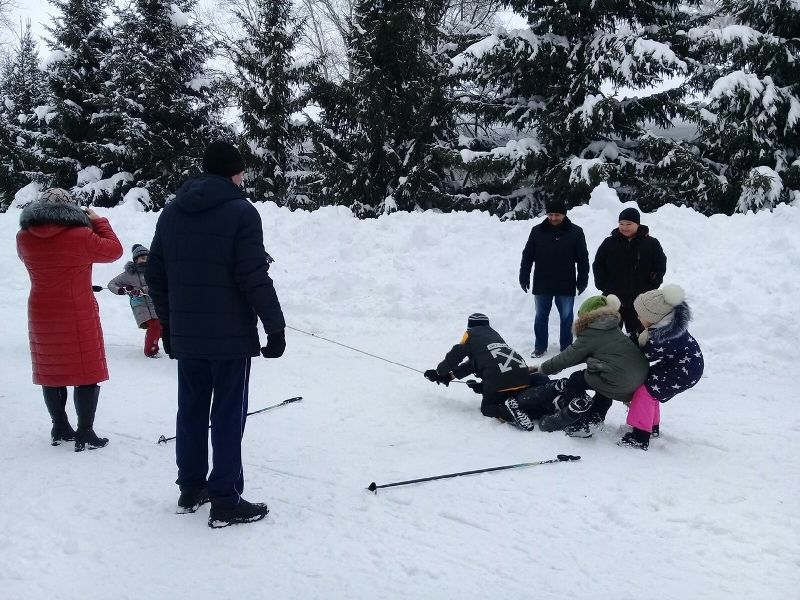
675, 357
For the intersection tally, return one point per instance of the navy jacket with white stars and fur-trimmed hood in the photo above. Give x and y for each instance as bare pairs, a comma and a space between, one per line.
678, 360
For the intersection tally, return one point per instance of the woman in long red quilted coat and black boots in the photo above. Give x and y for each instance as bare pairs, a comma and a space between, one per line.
59, 242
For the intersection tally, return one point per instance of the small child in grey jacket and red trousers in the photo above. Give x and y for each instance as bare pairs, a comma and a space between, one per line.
132, 283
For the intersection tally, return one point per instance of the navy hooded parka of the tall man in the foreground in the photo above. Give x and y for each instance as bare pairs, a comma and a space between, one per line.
207, 272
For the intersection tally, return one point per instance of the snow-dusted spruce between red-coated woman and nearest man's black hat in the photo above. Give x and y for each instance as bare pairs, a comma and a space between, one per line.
164, 104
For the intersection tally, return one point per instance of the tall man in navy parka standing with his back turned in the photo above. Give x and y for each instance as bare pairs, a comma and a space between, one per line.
208, 278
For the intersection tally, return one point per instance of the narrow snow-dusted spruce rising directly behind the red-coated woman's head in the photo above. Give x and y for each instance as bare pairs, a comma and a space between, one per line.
79, 44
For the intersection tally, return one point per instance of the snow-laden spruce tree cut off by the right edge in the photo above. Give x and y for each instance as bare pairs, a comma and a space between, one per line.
750, 122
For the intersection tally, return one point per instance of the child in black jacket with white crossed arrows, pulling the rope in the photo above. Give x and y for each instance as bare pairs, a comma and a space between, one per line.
484, 353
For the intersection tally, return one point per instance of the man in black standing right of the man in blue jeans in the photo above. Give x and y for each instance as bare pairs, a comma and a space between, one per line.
629, 262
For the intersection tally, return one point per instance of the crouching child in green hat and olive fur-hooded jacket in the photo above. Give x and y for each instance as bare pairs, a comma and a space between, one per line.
615, 367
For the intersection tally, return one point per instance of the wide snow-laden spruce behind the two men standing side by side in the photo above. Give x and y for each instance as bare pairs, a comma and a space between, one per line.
555, 83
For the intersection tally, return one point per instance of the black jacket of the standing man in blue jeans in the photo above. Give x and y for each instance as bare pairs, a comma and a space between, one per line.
556, 252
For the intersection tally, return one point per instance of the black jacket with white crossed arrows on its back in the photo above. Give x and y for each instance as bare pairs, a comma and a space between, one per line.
484, 353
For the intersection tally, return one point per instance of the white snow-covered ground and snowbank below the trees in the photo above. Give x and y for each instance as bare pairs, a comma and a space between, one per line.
709, 512
